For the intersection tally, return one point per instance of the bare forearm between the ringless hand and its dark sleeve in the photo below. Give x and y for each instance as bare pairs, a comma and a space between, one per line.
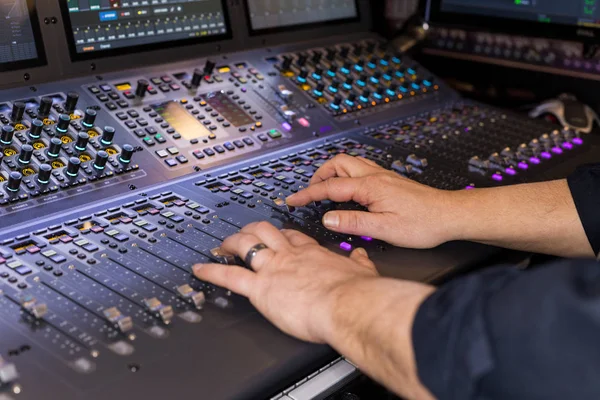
539, 217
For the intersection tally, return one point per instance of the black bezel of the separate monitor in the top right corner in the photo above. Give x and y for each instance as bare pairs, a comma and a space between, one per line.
532, 28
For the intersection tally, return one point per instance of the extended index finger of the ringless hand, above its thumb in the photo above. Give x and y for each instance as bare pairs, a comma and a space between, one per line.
335, 189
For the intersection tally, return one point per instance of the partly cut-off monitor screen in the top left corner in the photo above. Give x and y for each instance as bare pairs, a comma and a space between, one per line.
20, 40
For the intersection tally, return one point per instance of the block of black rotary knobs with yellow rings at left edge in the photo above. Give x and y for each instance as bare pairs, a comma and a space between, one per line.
48, 145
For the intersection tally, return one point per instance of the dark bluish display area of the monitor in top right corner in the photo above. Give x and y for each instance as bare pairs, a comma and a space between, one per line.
575, 12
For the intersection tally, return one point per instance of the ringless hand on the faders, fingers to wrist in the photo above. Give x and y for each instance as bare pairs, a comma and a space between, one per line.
401, 212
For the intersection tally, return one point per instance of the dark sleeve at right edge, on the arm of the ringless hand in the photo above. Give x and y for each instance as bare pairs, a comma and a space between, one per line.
585, 188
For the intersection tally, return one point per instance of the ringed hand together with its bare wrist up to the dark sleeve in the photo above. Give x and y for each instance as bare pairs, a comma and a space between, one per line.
319, 296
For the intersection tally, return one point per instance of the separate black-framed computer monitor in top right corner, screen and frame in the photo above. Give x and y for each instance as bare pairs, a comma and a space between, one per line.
571, 20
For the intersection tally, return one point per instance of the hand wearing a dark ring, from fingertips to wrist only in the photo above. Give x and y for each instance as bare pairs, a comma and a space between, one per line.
295, 281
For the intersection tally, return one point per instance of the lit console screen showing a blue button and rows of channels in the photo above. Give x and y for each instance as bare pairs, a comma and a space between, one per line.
97, 28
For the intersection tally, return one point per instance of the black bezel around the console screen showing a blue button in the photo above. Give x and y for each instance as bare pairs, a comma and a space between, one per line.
119, 51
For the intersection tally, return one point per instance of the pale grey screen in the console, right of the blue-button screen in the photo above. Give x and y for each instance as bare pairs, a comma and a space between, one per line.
278, 14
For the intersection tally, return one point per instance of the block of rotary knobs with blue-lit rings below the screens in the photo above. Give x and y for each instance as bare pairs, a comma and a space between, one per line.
351, 78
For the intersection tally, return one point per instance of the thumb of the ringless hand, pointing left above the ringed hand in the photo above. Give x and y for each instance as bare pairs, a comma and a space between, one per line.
355, 223
